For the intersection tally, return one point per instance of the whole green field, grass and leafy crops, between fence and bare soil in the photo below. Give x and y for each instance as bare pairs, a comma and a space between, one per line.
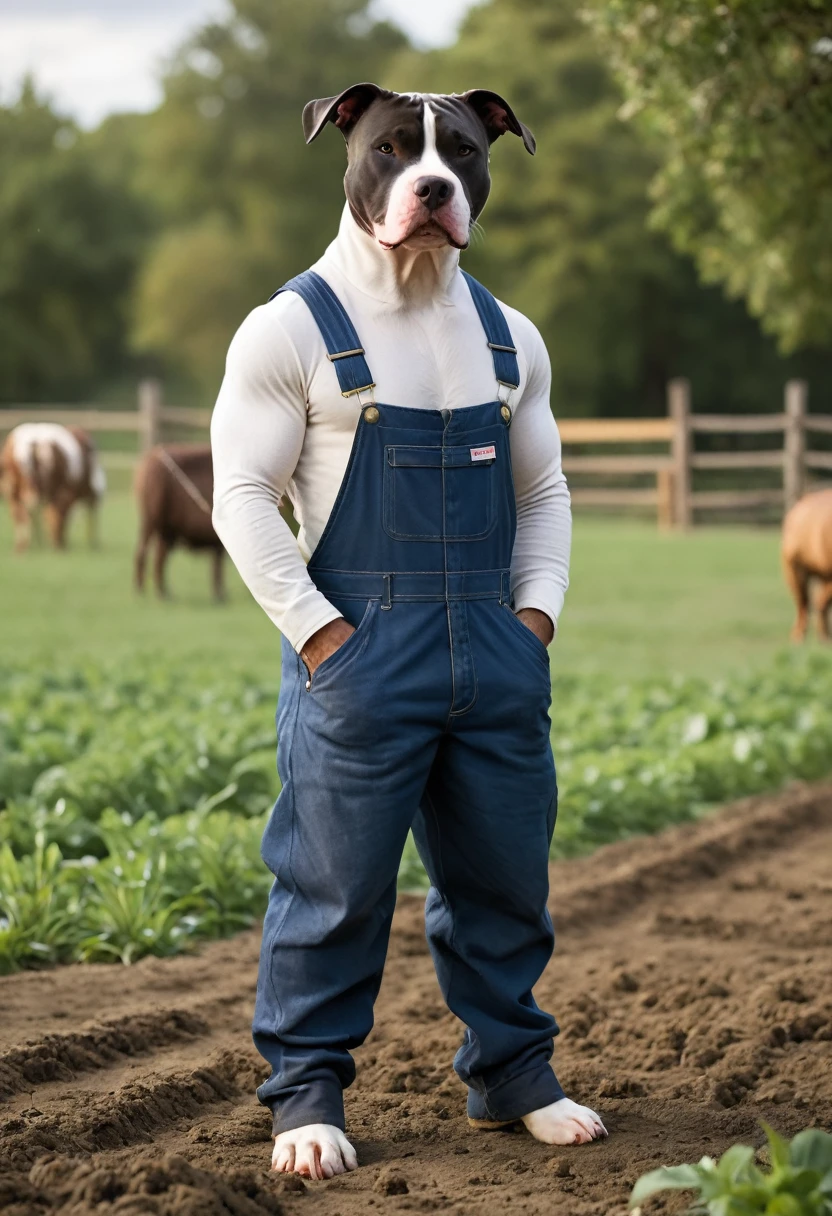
137, 740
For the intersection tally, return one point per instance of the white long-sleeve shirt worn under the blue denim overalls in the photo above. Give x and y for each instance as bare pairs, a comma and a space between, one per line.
282, 426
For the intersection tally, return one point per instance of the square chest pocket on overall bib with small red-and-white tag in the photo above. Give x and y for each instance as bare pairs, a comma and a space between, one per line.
440, 493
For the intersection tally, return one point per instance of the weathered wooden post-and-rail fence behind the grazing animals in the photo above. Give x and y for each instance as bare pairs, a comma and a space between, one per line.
666, 476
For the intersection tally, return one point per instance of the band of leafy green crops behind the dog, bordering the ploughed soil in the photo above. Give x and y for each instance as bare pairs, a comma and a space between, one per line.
133, 797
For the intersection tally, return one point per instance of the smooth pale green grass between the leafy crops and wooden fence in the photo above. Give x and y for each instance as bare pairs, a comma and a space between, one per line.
640, 604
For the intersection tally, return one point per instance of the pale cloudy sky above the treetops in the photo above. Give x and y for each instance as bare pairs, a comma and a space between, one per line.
95, 57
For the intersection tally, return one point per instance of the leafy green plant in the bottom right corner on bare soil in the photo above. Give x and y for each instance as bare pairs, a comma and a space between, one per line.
797, 1184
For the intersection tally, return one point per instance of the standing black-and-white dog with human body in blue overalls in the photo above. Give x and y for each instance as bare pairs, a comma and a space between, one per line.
406, 413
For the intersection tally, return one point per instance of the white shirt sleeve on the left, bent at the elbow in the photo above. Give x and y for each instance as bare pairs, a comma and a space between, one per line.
257, 434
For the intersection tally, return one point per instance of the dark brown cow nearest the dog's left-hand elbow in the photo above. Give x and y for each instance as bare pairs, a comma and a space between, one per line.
176, 491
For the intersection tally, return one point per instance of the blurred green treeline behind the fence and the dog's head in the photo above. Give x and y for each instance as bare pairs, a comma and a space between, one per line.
139, 247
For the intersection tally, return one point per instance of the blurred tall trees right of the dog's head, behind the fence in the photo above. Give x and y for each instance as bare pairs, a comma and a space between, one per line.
566, 233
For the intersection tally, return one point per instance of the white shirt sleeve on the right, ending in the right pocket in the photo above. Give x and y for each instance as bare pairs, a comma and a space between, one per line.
541, 561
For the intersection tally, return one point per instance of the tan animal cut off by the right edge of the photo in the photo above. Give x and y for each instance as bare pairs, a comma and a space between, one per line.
807, 554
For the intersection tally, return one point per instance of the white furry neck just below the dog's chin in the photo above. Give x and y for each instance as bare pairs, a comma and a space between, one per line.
401, 278
